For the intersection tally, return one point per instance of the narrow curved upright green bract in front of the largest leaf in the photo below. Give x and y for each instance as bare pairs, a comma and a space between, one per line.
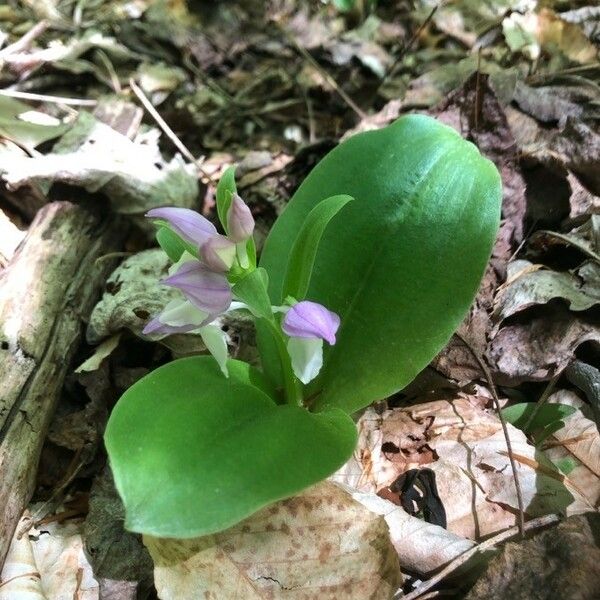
305, 247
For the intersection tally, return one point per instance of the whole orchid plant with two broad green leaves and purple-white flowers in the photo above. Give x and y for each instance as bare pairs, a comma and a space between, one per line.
362, 280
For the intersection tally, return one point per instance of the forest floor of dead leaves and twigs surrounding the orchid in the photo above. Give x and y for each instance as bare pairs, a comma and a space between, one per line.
120, 106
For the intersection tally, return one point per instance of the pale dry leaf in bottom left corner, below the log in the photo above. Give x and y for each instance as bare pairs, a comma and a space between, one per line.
48, 563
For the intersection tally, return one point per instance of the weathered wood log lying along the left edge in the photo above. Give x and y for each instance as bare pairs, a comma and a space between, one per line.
46, 291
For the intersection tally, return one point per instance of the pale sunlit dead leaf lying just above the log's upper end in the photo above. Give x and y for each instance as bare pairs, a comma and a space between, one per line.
132, 174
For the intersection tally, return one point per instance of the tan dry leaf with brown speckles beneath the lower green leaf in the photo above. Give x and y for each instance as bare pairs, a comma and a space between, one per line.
320, 544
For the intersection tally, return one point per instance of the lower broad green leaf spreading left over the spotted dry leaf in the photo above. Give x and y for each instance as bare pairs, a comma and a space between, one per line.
194, 453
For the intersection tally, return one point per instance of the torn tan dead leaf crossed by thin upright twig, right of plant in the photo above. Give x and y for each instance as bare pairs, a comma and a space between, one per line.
462, 443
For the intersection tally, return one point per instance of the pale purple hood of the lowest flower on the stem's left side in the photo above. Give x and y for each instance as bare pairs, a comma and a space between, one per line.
205, 289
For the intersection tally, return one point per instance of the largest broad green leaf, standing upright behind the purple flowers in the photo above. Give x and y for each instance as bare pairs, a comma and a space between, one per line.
402, 266
